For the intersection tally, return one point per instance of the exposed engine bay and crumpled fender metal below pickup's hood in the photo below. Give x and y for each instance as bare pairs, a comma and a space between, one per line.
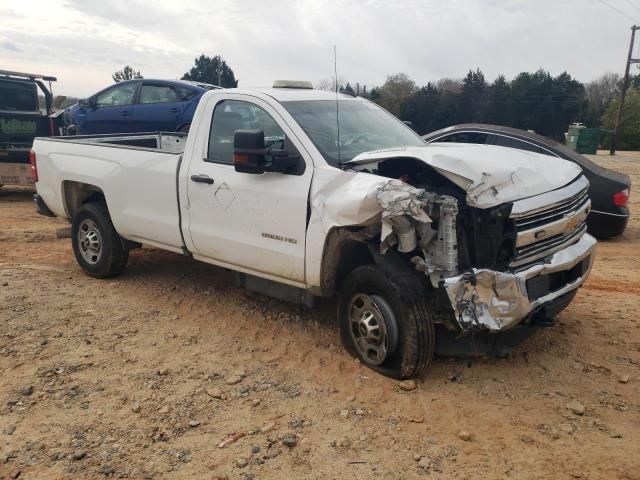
420, 207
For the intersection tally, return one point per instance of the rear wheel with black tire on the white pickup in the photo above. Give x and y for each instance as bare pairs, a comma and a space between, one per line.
112, 256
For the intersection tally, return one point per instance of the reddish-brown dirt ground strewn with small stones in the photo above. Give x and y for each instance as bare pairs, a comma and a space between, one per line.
143, 376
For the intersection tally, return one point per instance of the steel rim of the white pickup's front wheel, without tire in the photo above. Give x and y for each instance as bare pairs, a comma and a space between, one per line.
370, 329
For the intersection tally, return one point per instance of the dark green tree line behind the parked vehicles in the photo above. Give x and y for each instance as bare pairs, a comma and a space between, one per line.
535, 101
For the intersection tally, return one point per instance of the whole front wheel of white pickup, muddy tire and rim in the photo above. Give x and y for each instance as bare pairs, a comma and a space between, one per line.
389, 332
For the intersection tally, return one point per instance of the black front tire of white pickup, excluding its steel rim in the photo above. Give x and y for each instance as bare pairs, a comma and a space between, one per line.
415, 337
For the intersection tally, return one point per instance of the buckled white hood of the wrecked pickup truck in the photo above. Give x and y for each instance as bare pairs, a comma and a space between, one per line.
490, 175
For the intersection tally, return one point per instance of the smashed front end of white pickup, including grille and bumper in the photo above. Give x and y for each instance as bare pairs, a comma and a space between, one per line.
499, 266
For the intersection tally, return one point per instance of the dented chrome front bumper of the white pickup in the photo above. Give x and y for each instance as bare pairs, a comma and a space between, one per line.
495, 301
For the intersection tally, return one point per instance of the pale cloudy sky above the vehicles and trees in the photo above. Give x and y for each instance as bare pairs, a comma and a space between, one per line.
82, 42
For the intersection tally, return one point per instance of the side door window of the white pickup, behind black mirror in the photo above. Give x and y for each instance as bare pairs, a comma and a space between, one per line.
232, 115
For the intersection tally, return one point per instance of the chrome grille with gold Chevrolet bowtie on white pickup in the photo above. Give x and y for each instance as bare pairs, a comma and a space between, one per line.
542, 231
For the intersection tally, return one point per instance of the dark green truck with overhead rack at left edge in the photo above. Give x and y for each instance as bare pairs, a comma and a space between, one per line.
22, 118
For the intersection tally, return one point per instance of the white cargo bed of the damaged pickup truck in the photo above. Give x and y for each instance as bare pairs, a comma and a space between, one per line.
136, 174
